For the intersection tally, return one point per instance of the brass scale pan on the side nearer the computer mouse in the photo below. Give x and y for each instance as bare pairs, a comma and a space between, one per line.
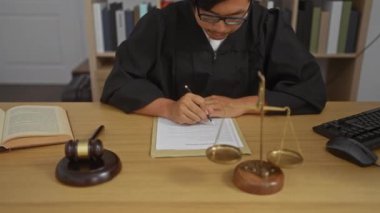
284, 158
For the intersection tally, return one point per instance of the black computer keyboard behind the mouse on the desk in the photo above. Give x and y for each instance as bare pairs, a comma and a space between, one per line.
363, 127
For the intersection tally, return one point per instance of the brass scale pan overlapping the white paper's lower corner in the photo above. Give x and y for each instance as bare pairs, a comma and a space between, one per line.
223, 154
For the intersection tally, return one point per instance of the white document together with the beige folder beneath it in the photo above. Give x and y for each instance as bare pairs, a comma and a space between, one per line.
170, 139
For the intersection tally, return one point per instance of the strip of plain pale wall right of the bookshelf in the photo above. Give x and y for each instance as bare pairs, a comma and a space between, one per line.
369, 86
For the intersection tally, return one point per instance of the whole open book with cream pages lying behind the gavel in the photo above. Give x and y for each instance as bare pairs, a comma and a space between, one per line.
27, 126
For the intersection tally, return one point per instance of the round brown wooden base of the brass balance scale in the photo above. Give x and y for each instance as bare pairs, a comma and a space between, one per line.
258, 177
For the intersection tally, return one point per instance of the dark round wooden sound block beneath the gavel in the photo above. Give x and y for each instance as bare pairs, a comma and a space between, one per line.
86, 172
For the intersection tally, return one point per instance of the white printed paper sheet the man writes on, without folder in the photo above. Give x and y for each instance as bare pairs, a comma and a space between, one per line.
172, 136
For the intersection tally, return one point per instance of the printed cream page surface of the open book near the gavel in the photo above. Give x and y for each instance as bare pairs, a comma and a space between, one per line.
25, 121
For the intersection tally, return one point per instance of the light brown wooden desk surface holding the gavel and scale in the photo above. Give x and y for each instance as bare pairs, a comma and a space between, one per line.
323, 183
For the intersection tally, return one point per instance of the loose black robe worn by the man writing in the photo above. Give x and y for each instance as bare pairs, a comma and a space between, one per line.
168, 50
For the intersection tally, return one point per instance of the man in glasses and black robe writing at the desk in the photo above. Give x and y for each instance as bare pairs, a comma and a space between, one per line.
216, 48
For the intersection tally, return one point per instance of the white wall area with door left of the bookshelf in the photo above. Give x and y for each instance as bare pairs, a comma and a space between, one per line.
40, 41
